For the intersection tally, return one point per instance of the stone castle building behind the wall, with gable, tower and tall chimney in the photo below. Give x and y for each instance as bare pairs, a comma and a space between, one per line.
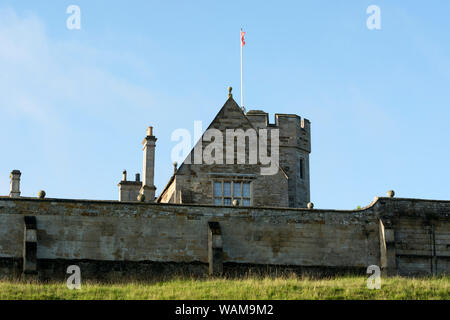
221, 184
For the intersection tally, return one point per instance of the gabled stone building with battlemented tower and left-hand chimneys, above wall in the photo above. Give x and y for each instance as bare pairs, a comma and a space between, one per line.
274, 177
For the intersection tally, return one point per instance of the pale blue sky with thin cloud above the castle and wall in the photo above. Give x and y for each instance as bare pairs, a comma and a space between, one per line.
75, 104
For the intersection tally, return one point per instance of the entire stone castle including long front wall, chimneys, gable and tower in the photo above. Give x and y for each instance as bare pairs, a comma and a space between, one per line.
222, 218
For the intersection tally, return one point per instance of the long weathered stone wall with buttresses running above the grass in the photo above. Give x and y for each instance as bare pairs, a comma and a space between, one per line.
405, 236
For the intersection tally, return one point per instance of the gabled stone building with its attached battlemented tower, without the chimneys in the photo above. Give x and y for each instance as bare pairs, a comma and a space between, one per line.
222, 183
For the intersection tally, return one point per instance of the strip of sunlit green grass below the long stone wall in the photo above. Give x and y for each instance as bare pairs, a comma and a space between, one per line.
346, 287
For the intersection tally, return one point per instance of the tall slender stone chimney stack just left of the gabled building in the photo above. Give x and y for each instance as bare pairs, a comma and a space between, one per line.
148, 173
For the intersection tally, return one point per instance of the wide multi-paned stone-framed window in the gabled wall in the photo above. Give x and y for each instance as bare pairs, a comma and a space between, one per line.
232, 196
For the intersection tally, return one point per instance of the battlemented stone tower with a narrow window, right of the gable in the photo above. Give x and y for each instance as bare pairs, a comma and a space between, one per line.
295, 147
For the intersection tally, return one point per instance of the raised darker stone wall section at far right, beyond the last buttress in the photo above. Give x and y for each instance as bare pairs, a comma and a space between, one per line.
420, 234
